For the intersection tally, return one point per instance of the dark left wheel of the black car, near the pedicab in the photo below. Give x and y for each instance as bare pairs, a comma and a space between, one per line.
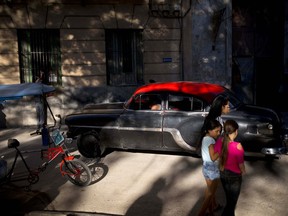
88, 144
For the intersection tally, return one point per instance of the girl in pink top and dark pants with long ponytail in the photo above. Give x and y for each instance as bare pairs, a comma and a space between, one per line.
231, 154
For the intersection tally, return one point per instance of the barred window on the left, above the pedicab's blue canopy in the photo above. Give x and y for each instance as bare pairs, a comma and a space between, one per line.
39, 51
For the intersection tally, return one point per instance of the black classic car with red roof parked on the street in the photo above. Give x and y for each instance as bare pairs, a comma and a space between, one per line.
167, 117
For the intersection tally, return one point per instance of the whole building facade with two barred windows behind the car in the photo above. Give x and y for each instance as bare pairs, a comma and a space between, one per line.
101, 50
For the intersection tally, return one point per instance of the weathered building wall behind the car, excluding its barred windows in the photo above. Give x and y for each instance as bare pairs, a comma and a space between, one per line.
188, 42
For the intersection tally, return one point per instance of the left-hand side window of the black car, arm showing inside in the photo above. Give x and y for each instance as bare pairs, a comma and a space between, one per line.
146, 102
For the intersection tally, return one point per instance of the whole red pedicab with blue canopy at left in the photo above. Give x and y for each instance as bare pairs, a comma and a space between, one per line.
75, 170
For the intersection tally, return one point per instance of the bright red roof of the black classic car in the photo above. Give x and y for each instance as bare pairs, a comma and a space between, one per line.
206, 91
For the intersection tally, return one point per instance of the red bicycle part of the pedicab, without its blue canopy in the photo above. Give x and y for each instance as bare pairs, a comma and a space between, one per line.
75, 170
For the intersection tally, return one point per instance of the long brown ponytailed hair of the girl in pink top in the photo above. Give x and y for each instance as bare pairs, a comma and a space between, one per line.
230, 126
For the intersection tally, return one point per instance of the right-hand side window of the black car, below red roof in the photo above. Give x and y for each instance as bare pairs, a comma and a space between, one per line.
184, 103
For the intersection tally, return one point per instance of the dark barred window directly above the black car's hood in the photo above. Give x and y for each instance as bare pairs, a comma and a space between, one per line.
124, 57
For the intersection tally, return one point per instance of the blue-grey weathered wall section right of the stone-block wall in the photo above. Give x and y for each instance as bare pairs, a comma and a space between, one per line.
211, 42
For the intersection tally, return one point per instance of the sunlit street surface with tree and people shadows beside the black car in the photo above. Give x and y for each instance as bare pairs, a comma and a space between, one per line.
145, 184
